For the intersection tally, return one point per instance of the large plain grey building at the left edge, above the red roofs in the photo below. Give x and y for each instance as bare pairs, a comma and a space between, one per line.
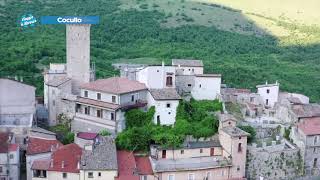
17, 106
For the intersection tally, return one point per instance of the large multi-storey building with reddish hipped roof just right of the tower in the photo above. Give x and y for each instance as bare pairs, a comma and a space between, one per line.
102, 104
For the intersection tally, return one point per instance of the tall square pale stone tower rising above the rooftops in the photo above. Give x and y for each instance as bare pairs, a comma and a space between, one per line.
78, 55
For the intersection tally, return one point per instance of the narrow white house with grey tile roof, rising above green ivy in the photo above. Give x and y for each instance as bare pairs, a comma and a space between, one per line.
165, 102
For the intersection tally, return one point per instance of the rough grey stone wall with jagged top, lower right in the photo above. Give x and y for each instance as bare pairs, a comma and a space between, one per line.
278, 161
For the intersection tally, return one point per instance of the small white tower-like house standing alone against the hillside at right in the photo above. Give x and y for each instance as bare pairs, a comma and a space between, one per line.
269, 93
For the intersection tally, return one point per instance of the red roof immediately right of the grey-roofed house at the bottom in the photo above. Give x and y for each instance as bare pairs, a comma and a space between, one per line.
126, 166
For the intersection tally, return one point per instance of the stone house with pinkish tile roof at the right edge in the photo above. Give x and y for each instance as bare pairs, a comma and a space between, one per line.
306, 135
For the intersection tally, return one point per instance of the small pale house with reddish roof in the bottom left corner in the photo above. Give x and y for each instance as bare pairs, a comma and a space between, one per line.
9, 158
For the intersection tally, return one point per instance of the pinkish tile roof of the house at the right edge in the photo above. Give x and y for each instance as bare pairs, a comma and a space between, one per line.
310, 126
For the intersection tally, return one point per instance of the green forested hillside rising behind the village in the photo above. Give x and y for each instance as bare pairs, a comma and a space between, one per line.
245, 53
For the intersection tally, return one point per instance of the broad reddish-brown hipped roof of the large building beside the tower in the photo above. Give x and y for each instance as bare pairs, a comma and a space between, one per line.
115, 85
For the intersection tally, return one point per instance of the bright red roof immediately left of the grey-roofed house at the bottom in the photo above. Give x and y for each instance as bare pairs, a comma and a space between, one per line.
66, 158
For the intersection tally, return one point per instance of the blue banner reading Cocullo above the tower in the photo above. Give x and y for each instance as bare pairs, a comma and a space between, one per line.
70, 20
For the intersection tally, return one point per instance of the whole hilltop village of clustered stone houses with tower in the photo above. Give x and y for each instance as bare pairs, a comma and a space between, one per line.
265, 134
